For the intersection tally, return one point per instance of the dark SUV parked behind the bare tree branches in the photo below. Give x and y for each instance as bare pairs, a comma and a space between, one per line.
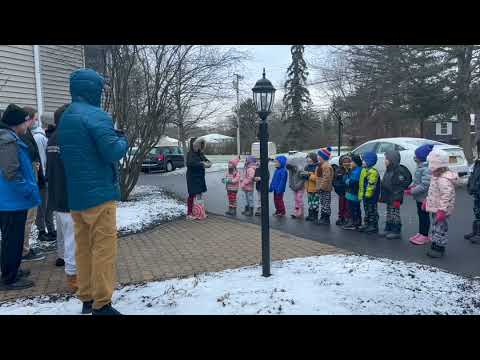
166, 158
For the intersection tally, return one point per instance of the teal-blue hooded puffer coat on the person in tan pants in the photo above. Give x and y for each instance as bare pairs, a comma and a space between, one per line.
90, 146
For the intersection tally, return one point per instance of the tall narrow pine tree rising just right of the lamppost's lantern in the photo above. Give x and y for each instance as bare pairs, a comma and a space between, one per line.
297, 98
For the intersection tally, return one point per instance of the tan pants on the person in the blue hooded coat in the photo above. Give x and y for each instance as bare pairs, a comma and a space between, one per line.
96, 253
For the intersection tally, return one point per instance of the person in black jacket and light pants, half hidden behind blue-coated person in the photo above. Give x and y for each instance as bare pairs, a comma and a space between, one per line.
58, 202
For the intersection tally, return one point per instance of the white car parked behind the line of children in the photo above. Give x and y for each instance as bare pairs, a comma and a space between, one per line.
406, 147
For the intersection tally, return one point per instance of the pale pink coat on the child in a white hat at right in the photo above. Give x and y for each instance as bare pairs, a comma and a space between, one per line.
441, 193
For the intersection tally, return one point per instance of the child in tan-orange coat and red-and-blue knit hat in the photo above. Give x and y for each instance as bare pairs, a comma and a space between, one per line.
324, 185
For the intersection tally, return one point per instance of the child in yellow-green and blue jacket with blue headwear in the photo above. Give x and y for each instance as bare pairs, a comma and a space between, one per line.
369, 192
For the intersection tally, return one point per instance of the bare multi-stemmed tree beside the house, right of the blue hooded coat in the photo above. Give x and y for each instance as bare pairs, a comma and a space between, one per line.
139, 98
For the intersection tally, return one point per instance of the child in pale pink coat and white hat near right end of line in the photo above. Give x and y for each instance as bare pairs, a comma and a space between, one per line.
440, 200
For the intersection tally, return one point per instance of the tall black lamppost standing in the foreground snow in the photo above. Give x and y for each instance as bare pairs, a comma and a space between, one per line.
263, 95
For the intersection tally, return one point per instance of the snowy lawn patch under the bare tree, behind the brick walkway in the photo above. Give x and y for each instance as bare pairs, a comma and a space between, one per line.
148, 207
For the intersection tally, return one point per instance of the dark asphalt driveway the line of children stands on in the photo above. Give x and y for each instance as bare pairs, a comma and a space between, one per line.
462, 257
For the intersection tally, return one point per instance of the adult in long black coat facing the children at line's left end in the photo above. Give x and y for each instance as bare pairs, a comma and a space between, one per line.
197, 162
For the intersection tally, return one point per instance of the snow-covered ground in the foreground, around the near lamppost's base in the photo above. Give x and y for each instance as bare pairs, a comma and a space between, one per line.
332, 284
